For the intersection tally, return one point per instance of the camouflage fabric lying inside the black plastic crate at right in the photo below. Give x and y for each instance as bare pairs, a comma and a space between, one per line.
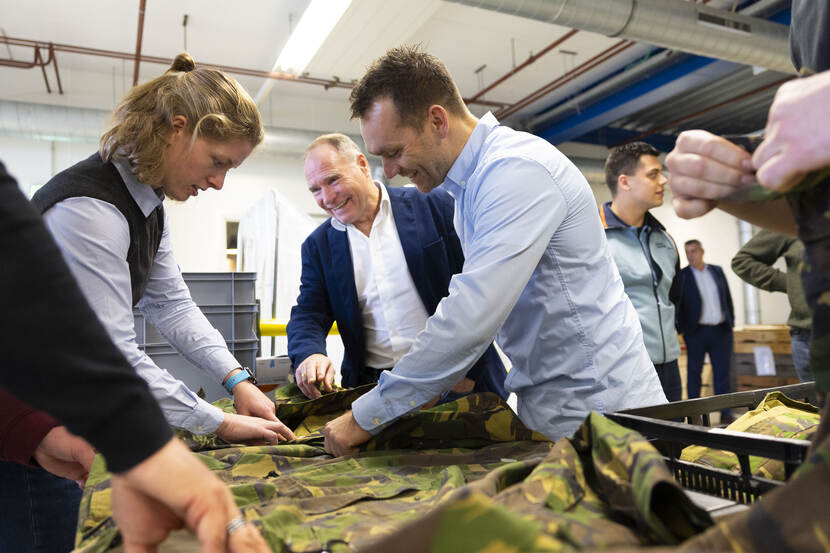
777, 415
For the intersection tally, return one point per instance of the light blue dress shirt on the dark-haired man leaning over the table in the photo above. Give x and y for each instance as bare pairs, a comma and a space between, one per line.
538, 277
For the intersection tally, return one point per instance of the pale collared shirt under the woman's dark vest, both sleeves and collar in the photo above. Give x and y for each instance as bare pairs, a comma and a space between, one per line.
94, 238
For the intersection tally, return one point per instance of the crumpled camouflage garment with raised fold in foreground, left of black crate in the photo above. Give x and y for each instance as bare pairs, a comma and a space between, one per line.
605, 487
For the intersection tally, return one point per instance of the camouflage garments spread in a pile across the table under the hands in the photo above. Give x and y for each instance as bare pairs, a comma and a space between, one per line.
471, 463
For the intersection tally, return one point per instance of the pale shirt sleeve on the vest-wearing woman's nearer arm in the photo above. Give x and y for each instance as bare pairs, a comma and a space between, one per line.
94, 238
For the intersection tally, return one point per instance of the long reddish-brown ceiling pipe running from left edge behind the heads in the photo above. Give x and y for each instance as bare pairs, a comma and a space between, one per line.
333, 82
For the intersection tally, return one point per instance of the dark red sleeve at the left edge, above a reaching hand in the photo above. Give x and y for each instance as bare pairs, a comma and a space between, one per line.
22, 428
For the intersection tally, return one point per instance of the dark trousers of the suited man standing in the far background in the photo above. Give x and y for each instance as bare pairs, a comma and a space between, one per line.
716, 340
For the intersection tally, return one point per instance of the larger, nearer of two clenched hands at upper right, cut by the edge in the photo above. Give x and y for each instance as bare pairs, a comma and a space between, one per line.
797, 137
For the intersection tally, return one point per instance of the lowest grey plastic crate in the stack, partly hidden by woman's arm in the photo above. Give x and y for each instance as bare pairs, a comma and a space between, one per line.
177, 365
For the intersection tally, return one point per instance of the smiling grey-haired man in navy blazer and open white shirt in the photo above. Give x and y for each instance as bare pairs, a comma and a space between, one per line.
378, 267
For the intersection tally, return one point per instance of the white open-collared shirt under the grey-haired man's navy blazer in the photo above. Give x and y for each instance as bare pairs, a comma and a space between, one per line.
392, 311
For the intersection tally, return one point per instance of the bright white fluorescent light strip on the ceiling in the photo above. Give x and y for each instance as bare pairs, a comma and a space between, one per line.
311, 31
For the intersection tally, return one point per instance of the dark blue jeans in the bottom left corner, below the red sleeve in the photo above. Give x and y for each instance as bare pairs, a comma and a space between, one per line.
38, 510
